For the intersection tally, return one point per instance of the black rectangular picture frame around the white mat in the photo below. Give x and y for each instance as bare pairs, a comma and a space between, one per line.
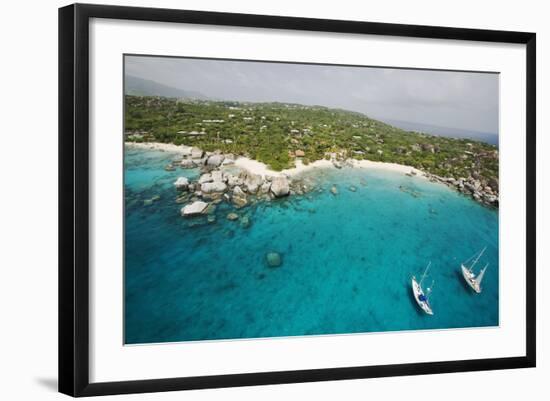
74, 199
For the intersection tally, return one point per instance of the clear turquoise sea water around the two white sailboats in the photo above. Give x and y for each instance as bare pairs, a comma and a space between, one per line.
347, 259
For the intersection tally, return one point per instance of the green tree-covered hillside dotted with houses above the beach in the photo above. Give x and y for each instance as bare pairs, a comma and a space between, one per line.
275, 133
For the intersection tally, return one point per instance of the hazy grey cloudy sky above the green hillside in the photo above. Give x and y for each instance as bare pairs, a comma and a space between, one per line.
460, 100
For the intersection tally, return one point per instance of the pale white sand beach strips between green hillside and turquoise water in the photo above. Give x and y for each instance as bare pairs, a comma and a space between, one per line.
256, 167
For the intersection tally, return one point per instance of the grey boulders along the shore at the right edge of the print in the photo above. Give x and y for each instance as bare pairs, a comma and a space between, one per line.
482, 190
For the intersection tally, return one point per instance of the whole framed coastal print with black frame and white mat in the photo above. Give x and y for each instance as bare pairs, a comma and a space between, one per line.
250, 199
